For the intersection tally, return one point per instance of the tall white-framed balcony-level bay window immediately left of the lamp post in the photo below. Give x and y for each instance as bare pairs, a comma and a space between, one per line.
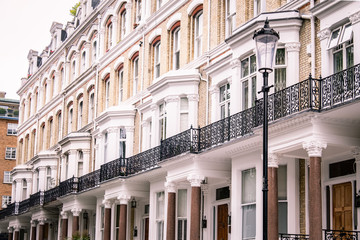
248, 79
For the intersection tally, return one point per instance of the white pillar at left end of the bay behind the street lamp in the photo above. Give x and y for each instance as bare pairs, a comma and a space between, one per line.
235, 88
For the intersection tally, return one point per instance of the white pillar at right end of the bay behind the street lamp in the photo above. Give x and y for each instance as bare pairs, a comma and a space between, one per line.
292, 68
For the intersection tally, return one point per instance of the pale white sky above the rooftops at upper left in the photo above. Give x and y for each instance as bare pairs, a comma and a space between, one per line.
25, 25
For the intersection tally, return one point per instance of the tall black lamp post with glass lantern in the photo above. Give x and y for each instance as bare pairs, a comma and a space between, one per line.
266, 43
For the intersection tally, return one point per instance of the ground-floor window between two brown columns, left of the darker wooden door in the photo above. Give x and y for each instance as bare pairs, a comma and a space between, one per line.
182, 214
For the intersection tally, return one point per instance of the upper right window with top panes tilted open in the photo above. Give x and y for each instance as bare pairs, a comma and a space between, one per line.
341, 44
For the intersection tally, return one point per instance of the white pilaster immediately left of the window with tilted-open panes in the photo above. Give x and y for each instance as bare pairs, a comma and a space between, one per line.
324, 35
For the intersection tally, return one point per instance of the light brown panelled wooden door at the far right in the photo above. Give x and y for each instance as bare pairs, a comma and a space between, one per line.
342, 207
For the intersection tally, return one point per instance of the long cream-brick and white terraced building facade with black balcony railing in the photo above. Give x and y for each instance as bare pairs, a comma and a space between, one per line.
142, 119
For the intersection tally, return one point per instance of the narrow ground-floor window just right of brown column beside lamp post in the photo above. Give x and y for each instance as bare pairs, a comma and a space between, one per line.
282, 198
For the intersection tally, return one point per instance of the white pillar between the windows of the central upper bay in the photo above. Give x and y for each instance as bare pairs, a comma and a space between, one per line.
173, 116
